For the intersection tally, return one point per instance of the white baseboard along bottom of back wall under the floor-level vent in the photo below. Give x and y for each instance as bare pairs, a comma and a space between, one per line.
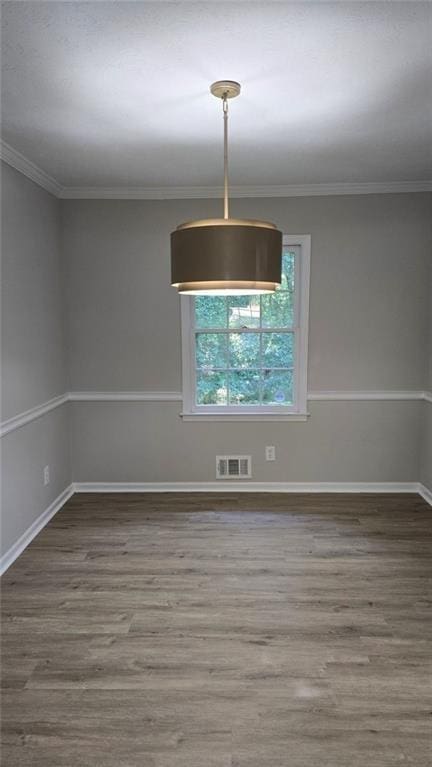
228, 486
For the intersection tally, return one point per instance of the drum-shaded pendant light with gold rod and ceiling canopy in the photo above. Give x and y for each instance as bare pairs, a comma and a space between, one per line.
226, 256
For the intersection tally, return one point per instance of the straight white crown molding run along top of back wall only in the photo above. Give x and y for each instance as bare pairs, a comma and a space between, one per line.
208, 192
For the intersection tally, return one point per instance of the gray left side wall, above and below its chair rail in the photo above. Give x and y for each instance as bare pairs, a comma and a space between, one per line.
33, 352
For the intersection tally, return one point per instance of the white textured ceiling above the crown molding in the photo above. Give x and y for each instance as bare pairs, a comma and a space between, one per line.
116, 93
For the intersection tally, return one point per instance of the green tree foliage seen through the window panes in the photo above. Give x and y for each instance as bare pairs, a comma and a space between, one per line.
244, 346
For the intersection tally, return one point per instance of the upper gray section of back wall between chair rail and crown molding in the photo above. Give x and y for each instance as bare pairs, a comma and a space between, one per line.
369, 288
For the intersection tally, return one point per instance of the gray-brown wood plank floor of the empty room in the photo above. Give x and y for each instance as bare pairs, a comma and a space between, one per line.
221, 631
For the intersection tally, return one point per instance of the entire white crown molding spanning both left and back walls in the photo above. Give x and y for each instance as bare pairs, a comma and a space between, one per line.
36, 174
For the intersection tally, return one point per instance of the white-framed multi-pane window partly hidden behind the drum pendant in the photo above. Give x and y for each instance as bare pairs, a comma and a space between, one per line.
245, 357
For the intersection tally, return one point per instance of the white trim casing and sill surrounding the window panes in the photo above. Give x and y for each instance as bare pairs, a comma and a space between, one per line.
298, 411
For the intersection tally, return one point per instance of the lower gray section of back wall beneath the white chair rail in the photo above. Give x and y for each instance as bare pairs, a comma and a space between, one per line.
341, 442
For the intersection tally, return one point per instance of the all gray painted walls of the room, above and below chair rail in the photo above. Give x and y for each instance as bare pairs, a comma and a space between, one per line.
369, 329
